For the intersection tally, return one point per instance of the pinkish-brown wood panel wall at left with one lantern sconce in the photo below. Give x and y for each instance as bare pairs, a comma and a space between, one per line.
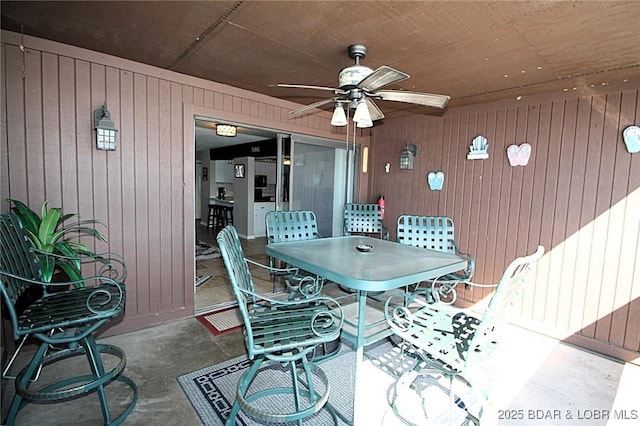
144, 191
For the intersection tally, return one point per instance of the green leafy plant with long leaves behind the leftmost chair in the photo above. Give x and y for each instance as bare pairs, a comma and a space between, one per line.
56, 241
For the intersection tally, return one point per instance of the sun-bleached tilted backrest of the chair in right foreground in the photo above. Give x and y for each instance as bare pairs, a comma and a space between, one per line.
514, 278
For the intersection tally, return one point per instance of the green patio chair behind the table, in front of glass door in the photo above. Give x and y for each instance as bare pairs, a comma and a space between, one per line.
293, 225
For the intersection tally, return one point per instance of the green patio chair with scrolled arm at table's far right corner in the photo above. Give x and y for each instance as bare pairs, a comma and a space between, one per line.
436, 233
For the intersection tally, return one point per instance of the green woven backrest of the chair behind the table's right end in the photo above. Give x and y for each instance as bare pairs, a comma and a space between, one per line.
430, 232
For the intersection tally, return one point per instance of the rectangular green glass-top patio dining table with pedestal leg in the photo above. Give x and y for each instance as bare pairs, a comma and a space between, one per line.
387, 266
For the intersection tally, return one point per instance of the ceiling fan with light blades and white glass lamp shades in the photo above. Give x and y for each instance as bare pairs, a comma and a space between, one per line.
358, 87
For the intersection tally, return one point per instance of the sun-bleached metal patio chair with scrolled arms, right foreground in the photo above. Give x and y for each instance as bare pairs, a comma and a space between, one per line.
454, 342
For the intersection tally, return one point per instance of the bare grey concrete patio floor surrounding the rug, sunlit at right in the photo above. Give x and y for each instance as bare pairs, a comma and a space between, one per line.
535, 380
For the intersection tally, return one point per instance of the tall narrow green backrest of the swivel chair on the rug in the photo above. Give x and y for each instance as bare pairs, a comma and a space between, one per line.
239, 275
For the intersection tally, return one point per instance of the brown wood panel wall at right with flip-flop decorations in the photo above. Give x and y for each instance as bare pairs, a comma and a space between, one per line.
579, 197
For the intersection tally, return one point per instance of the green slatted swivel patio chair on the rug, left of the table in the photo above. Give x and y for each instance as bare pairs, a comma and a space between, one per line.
279, 332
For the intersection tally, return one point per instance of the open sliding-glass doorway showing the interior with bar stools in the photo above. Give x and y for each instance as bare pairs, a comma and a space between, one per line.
320, 184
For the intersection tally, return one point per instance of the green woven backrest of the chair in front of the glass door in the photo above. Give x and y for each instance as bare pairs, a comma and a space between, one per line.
291, 225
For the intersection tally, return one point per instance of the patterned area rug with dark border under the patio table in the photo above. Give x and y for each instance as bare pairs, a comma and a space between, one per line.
211, 391
